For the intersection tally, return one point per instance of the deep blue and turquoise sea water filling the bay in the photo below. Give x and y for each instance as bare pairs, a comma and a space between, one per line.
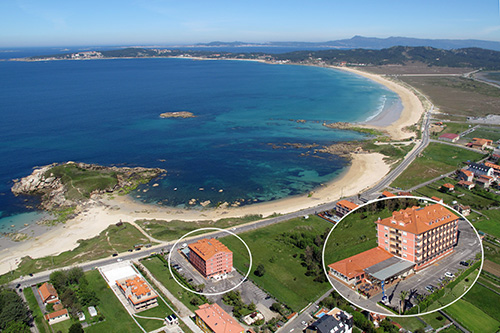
107, 112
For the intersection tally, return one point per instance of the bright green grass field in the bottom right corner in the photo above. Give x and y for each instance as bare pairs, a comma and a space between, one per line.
472, 317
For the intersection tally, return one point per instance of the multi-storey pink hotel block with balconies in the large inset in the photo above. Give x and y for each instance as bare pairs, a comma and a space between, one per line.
418, 234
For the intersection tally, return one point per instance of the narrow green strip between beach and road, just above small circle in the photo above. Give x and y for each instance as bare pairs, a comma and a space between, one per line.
175, 229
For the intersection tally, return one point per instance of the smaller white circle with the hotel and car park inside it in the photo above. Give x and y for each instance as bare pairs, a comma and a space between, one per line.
204, 264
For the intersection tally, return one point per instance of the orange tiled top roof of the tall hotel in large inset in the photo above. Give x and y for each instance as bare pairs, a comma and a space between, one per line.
418, 220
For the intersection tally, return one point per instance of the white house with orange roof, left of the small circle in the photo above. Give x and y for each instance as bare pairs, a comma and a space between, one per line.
138, 292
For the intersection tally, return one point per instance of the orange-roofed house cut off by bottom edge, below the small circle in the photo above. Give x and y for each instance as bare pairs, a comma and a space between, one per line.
211, 318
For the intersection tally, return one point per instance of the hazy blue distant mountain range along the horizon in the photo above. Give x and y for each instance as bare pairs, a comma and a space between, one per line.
369, 43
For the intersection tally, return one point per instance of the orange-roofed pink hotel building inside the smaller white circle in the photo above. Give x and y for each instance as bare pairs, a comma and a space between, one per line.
210, 257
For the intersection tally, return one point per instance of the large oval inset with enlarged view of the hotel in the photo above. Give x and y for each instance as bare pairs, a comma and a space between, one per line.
403, 256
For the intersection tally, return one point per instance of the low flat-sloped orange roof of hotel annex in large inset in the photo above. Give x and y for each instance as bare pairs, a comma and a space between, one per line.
355, 265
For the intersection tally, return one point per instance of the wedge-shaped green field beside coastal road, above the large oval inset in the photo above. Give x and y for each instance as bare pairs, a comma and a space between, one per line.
435, 160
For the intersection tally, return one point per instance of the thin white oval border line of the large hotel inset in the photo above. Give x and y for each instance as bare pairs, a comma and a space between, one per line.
398, 197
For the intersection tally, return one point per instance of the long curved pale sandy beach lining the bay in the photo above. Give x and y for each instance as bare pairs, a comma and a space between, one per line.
365, 171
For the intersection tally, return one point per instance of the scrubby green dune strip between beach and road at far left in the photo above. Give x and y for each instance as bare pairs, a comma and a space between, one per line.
120, 239
